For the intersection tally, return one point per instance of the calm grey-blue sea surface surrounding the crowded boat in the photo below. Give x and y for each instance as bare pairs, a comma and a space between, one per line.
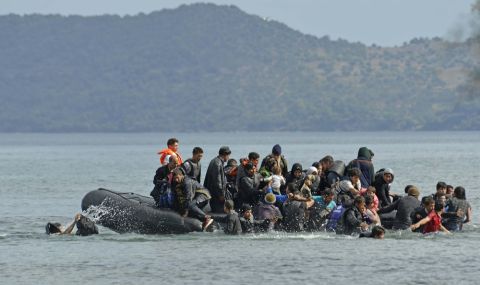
43, 178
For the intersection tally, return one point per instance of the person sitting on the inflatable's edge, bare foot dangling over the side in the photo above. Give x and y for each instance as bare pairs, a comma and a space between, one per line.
190, 197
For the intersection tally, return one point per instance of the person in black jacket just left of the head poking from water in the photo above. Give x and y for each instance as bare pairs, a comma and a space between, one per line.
353, 220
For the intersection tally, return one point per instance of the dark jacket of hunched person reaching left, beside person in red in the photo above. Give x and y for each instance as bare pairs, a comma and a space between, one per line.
405, 207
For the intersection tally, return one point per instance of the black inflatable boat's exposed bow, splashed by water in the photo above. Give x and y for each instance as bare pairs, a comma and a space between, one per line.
130, 212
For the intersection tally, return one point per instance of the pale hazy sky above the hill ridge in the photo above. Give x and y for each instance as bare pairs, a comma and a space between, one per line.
383, 22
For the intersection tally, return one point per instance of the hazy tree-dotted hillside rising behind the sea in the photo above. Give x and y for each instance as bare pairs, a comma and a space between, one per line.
204, 67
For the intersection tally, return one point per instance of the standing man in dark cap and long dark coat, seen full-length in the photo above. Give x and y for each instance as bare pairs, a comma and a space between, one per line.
215, 180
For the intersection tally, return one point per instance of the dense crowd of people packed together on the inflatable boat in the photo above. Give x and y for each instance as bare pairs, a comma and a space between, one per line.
330, 195
